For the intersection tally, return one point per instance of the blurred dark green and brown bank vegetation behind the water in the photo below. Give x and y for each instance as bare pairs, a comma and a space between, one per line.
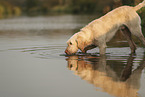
16, 8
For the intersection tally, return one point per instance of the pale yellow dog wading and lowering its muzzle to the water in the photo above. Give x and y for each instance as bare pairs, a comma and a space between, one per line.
102, 30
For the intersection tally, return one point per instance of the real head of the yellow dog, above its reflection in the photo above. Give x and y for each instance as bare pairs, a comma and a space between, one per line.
74, 43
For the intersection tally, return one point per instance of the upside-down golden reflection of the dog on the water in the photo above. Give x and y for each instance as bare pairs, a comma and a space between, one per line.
98, 71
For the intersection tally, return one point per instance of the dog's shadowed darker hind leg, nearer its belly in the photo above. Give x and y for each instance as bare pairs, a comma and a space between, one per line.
127, 34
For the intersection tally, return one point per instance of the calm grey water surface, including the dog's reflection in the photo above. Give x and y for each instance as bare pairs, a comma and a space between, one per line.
32, 62
